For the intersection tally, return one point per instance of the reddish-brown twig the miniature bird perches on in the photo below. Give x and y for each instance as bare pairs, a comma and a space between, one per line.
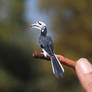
62, 59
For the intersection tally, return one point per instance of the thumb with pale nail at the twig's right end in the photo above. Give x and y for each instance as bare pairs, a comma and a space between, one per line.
84, 72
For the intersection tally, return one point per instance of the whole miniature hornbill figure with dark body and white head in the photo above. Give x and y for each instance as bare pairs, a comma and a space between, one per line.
46, 44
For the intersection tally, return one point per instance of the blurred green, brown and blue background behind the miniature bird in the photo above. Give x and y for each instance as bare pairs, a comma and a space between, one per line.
70, 25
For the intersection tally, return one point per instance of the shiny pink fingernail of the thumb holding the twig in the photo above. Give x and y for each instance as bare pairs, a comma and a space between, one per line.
84, 65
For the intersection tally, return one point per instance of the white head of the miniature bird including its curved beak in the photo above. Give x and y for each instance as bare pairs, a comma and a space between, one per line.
39, 25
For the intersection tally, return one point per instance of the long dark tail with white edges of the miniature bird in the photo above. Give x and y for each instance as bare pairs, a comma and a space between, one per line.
58, 69
